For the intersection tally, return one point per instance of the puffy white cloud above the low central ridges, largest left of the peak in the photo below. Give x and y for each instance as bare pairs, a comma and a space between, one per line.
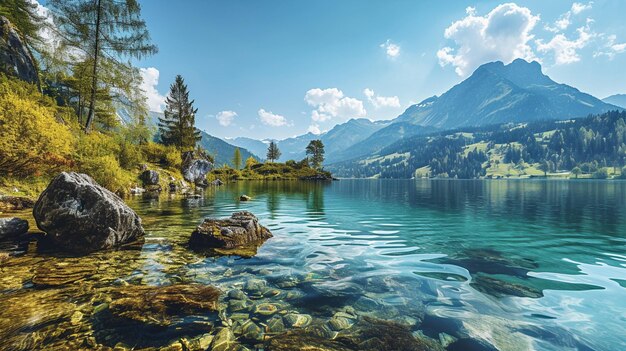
331, 103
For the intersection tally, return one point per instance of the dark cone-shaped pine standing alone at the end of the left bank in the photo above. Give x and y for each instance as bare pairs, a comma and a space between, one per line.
177, 127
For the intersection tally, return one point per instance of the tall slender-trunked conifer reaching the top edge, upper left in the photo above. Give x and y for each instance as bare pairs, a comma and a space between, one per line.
106, 32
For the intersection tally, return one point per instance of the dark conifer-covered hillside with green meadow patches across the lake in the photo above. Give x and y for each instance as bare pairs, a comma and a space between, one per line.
586, 145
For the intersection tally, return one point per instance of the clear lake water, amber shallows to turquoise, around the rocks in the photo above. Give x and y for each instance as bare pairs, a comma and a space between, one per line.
507, 265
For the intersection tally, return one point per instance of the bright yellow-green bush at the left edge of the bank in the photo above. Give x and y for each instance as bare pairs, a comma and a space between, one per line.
32, 140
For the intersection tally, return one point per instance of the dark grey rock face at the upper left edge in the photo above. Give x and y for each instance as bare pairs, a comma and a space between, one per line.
15, 58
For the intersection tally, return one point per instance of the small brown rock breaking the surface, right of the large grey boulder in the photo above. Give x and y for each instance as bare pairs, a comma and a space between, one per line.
241, 229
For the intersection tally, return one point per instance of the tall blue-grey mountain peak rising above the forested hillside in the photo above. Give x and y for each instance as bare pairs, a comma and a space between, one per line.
498, 93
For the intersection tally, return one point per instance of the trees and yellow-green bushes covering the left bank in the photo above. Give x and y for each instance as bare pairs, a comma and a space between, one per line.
68, 119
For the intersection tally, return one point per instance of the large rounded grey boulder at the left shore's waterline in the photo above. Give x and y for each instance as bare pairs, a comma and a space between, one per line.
79, 215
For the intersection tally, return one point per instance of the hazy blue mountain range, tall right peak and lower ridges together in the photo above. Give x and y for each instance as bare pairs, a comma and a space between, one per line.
494, 94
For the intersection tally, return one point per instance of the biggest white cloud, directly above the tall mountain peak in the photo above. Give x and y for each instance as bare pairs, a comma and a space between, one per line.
503, 34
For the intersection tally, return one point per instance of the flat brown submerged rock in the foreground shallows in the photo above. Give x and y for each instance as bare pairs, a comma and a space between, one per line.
159, 305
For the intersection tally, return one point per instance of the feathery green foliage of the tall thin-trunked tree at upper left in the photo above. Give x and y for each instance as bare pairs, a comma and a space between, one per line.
109, 32
